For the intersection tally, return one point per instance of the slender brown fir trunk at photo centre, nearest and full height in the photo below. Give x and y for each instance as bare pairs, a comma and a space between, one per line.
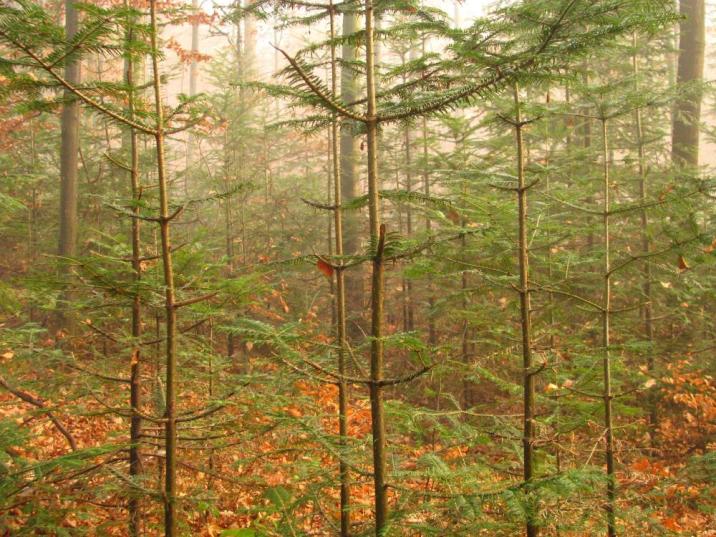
377, 235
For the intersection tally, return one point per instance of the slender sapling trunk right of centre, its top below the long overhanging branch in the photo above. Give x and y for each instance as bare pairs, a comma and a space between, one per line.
528, 437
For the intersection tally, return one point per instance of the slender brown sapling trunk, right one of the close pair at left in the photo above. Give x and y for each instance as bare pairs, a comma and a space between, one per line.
170, 490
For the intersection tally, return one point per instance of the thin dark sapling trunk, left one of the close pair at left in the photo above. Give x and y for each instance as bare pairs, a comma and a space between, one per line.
135, 428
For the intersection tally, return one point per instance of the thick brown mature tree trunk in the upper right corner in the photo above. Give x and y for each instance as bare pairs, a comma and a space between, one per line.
687, 110
